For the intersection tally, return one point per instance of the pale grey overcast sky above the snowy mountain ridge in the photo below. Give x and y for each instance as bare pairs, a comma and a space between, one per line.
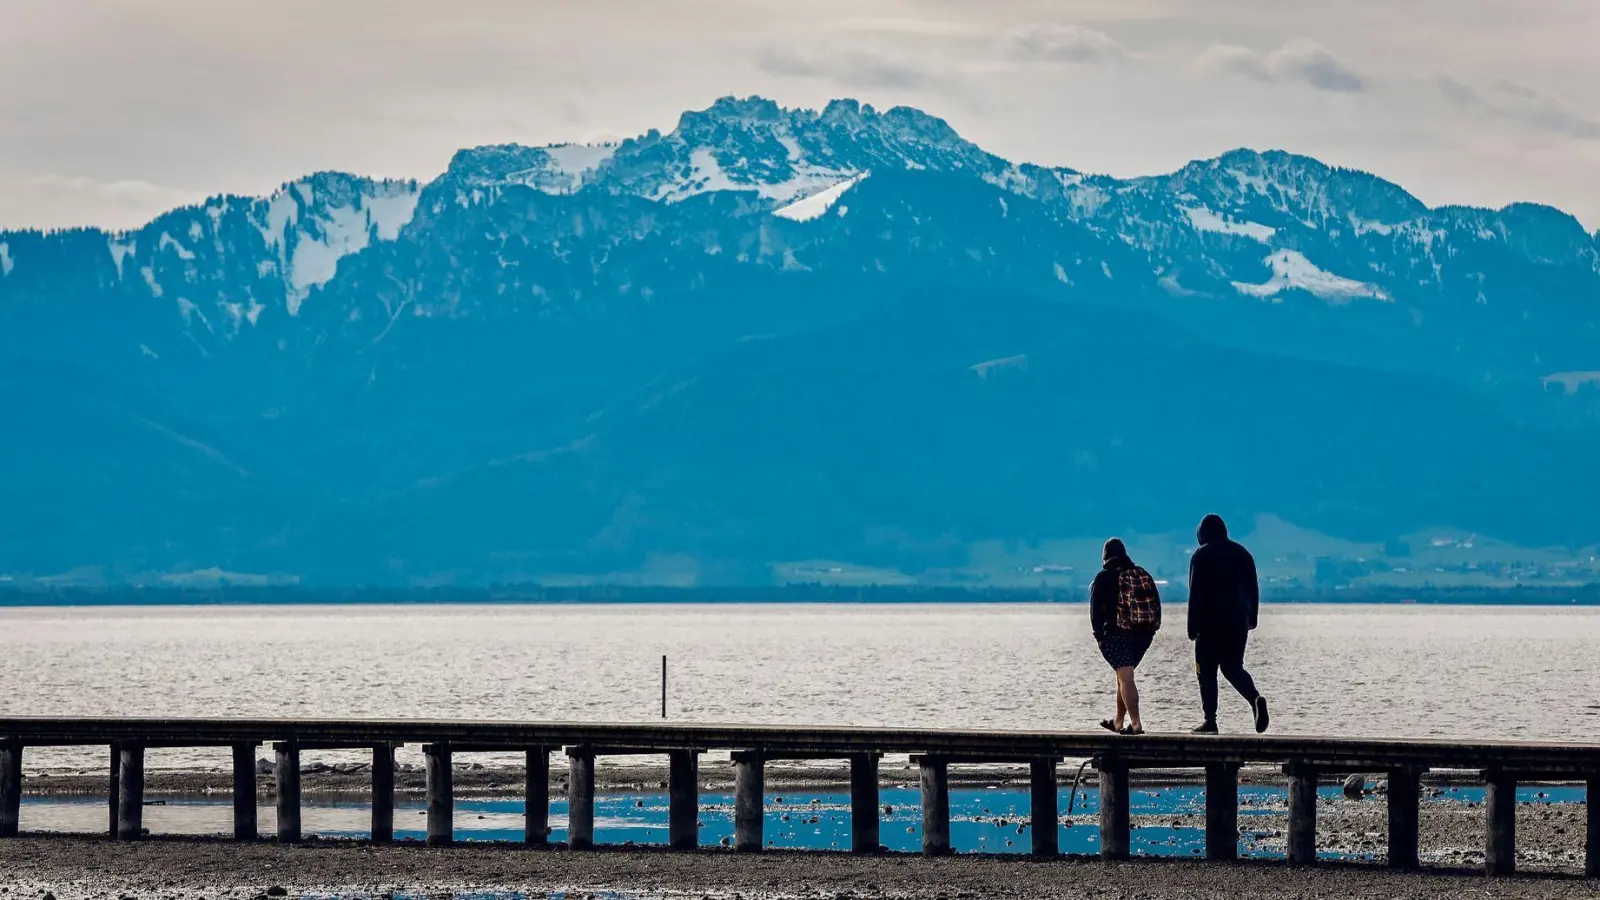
113, 111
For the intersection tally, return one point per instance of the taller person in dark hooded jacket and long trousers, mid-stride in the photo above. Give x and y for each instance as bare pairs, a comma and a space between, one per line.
1225, 601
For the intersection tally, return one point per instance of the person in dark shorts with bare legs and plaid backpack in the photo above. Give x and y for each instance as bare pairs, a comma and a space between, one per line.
1126, 611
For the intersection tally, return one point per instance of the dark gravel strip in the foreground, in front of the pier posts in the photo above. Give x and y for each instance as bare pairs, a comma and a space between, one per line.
175, 869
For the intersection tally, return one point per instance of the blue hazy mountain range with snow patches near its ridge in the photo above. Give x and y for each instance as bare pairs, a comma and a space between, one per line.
775, 339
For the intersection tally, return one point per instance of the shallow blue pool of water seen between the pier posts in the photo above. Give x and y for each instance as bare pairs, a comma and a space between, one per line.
986, 822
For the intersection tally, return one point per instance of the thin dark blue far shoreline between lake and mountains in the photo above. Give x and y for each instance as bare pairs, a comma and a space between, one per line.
794, 595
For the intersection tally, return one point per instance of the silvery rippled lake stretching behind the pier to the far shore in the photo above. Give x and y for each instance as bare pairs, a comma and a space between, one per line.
1404, 672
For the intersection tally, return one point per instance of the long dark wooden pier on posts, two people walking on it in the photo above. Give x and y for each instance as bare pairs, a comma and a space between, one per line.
1303, 760
